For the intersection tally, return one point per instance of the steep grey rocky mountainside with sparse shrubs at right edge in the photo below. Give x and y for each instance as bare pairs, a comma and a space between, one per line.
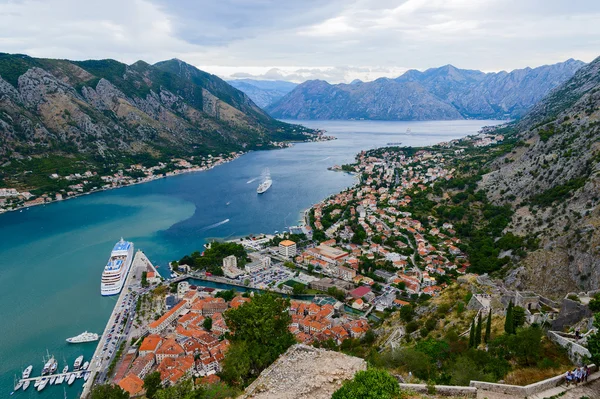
552, 180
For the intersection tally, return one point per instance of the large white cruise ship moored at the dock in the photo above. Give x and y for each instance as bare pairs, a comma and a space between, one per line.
117, 268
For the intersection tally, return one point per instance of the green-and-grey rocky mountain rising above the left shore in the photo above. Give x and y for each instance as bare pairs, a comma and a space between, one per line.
104, 110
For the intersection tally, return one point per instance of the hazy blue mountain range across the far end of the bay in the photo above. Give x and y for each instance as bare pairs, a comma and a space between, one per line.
438, 93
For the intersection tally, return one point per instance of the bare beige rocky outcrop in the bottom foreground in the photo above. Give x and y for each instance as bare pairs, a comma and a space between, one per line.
305, 372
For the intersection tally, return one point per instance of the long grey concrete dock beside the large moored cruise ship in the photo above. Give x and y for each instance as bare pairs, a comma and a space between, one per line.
99, 362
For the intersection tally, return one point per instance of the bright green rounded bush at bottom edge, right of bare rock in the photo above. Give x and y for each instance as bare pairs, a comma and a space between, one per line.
369, 384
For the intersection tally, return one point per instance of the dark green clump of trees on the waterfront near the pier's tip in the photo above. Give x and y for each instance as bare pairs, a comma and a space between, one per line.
212, 259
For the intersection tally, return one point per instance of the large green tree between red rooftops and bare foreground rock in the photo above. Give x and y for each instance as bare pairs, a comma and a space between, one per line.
259, 331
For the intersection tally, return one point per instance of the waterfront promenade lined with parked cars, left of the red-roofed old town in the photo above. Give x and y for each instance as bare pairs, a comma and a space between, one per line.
100, 362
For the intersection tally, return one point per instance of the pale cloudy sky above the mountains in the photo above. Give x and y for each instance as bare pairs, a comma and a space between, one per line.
335, 40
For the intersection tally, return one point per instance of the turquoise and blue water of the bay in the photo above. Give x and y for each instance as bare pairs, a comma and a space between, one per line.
51, 257
